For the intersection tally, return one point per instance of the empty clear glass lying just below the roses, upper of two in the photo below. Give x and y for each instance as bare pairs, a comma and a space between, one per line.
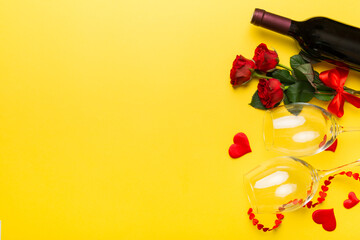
300, 129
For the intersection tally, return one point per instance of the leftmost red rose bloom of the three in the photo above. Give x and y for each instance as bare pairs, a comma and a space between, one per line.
241, 70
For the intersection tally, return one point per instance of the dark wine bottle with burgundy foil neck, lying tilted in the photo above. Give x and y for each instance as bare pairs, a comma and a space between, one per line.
321, 38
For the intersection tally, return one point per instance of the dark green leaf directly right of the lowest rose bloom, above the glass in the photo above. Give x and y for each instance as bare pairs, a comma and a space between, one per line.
301, 91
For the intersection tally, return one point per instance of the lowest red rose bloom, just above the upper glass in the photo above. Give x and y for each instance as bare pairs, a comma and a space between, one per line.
270, 92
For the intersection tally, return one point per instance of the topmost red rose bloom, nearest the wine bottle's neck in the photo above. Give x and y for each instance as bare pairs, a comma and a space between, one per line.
265, 59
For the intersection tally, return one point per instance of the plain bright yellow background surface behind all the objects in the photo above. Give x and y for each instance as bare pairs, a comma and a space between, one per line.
116, 117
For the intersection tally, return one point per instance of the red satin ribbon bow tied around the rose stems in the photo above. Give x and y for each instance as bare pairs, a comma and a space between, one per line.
335, 78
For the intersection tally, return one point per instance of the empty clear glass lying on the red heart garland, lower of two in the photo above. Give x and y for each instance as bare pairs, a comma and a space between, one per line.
284, 184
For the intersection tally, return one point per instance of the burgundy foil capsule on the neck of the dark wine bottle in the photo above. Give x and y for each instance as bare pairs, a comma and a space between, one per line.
271, 21
